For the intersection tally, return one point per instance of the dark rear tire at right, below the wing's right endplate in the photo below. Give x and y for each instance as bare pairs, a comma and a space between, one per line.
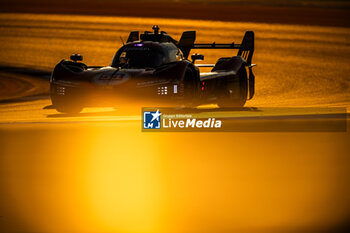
235, 91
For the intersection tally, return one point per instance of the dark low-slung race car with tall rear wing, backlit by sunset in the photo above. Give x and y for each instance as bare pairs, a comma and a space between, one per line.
155, 67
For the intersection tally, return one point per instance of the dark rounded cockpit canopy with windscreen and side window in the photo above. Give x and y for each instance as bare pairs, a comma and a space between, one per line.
146, 54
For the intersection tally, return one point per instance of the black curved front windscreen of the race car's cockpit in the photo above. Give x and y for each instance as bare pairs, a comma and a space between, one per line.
138, 57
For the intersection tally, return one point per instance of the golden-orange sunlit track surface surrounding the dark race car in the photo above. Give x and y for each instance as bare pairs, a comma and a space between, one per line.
97, 172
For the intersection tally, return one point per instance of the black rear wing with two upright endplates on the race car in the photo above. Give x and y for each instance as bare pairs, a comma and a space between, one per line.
245, 49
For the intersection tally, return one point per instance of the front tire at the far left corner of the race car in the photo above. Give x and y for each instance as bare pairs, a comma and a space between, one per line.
67, 103
